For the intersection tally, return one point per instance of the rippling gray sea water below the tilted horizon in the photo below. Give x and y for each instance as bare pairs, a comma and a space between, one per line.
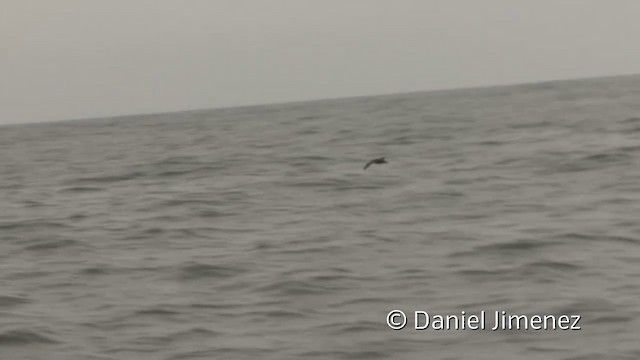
254, 233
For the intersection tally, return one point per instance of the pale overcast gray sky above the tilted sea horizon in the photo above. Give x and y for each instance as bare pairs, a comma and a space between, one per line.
63, 59
